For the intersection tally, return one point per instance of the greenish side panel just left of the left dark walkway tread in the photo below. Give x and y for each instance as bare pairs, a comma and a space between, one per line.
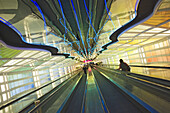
54, 101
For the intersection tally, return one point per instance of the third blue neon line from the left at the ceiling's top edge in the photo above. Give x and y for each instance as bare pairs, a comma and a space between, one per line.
78, 26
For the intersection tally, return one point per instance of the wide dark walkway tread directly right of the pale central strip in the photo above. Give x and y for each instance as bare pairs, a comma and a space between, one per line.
115, 100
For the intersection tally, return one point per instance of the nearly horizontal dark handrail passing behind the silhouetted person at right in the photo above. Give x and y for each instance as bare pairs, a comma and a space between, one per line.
162, 67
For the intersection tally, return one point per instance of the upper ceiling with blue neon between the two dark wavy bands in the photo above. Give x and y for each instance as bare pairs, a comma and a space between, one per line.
75, 24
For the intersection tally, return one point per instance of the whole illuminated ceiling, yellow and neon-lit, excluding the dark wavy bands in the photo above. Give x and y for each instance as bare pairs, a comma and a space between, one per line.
77, 27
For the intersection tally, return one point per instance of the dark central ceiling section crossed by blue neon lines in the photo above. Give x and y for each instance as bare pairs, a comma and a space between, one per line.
77, 22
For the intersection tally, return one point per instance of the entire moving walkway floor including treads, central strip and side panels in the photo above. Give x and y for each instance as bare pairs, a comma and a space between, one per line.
106, 91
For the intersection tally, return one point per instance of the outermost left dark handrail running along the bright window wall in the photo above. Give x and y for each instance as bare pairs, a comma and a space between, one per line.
13, 101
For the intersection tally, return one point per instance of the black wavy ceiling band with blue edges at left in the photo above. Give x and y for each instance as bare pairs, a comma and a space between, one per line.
10, 38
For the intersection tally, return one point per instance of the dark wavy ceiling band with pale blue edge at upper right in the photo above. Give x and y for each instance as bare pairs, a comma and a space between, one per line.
145, 10
